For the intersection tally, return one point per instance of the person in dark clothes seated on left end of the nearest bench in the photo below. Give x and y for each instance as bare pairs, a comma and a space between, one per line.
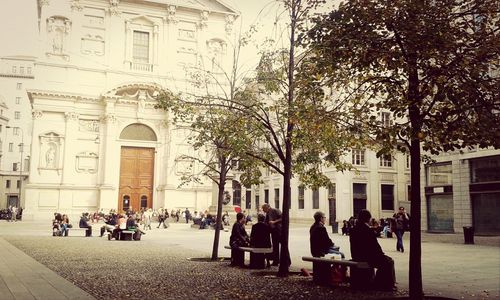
320, 242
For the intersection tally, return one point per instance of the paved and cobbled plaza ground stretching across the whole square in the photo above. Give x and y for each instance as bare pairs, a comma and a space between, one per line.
157, 266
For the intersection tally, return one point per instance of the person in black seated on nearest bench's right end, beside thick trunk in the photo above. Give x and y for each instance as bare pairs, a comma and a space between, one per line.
365, 247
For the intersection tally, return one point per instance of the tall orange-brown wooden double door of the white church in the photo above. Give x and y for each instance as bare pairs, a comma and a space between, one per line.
136, 178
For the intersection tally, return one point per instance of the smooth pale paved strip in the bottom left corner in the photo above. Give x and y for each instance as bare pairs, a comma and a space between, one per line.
22, 277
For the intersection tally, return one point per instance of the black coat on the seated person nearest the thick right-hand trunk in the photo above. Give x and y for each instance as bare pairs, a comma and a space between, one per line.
364, 244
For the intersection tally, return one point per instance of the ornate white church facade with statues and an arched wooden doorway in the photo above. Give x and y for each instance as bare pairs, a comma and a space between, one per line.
97, 140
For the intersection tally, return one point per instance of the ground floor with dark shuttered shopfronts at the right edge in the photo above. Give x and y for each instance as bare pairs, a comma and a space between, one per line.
463, 189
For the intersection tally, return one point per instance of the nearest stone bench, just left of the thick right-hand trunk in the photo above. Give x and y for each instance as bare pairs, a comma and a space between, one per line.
361, 274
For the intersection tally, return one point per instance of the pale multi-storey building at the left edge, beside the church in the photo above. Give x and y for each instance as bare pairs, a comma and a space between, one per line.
16, 76
